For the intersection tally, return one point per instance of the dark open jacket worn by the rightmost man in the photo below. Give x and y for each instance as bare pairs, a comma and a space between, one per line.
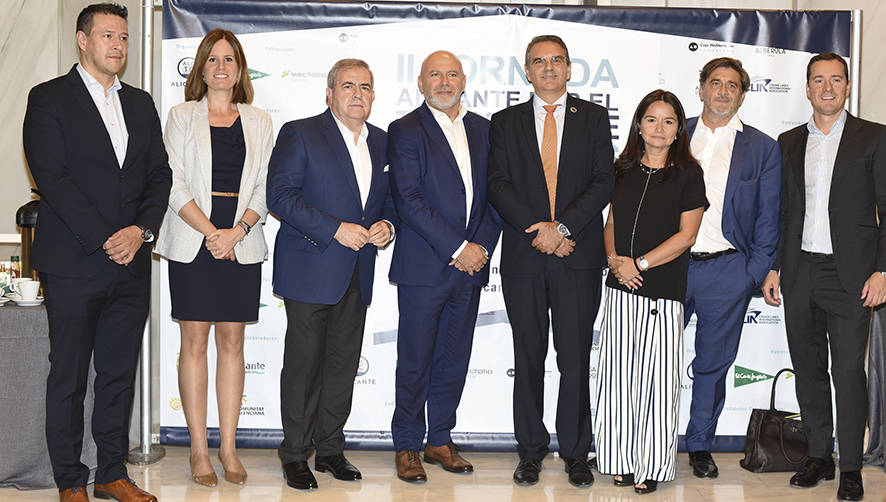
857, 195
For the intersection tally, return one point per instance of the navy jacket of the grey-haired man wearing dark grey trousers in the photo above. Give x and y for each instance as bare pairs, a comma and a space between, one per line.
312, 189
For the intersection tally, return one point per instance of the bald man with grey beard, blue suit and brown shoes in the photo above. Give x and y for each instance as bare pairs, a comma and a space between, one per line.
438, 156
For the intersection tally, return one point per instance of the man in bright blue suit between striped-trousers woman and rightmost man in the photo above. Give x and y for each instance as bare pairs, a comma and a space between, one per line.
735, 246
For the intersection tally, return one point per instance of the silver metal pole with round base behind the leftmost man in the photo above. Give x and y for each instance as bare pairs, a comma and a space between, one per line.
147, 453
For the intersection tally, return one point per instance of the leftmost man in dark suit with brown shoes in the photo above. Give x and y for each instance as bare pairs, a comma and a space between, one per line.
94, 146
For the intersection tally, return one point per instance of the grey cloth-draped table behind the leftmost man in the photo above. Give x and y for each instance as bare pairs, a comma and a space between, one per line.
24, 365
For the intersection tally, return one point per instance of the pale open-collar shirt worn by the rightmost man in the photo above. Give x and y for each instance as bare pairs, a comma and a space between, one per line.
821, 152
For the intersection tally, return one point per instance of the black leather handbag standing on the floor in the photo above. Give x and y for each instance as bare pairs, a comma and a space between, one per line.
775, 442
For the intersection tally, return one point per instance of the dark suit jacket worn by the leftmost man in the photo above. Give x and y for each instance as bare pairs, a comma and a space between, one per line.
86, 194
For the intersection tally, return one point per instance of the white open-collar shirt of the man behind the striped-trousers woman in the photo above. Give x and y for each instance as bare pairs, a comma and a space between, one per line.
713, 150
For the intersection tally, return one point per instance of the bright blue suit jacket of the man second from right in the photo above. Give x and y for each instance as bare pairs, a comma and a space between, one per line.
752, 199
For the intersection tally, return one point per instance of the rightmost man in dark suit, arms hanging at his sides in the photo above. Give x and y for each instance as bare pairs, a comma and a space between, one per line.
832, 260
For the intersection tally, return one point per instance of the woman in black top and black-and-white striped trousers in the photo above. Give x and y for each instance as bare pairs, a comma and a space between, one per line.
654, 216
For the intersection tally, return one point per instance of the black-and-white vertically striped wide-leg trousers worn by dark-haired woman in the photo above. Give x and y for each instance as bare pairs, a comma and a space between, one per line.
638, 386
